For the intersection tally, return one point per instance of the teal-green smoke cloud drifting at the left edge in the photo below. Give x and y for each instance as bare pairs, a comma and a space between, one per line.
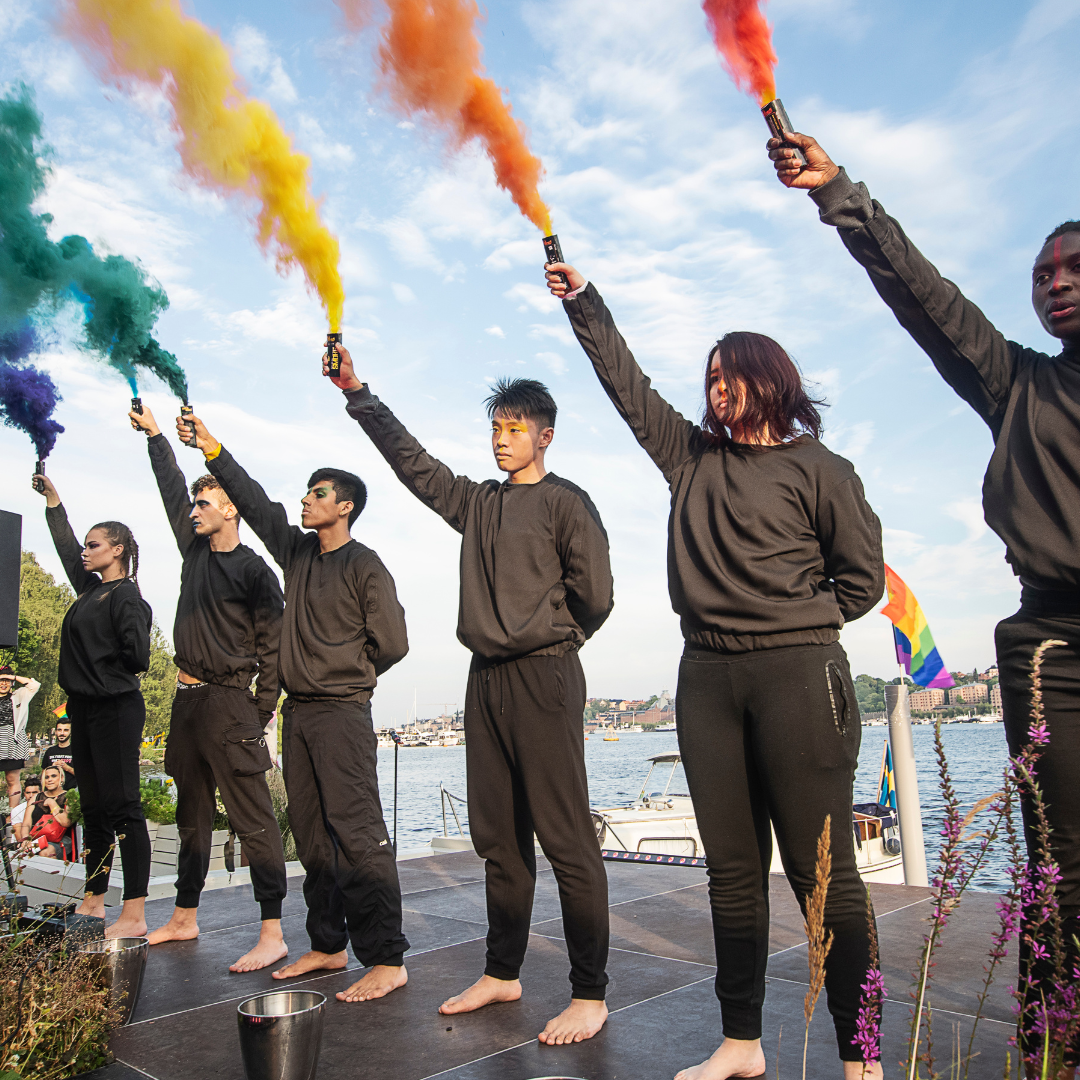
119, 302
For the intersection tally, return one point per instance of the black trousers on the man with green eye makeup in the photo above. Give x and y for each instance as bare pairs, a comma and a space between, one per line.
334, 809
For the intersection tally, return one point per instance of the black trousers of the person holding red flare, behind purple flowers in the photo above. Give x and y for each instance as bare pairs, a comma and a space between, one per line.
1059, 766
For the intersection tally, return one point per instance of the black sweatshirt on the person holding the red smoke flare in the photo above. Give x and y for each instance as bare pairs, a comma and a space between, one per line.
1030, 401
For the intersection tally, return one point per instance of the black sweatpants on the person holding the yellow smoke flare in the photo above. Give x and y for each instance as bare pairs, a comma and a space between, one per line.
525, 761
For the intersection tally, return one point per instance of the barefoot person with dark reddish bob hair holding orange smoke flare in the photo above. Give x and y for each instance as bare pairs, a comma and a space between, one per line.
772, 549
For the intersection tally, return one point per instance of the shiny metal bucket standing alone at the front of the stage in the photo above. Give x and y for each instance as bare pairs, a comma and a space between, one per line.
281, 1035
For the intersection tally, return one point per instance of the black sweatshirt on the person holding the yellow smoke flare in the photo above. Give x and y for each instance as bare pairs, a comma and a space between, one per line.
536, 576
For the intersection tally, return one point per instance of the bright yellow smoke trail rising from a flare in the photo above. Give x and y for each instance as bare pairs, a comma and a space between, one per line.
228, 142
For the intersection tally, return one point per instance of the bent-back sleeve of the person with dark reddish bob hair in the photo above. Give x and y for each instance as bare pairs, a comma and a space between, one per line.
850, 537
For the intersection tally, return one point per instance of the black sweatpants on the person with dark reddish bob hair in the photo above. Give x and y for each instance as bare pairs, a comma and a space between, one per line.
774, 736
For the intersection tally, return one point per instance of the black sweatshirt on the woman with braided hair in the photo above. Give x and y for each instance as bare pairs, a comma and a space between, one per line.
105, 638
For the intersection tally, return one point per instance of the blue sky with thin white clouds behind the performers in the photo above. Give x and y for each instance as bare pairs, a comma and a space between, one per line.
663, 196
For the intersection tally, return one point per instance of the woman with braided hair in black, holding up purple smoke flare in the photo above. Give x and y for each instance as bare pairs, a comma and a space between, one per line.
105, 646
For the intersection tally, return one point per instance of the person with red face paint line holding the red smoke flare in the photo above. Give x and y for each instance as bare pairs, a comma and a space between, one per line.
1031, 401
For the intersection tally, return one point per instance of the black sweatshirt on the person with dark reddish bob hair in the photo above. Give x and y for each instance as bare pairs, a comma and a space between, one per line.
767, 547
